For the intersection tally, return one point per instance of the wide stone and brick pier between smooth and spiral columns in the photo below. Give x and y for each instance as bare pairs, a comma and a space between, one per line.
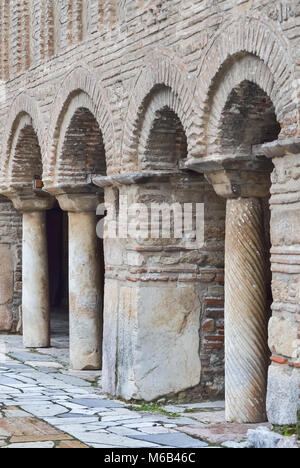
155, 294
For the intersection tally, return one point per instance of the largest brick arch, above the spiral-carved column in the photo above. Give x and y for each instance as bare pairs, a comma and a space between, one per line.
252, 36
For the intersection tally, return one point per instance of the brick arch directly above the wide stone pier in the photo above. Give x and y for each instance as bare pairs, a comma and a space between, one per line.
163, 71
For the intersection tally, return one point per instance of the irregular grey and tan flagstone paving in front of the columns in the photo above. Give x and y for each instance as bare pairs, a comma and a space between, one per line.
45, 405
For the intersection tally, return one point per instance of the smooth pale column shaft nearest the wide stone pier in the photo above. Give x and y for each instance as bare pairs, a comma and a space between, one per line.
85, 293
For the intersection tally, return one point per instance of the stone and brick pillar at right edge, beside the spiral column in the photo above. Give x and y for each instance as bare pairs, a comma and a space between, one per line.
283, 396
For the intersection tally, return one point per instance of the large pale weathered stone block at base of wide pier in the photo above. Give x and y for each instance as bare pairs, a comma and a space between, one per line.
158, 340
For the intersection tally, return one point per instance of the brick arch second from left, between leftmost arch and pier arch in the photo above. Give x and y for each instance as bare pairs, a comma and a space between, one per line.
80, 89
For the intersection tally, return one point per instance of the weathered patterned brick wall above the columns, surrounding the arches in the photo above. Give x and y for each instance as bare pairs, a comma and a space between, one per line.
109, 55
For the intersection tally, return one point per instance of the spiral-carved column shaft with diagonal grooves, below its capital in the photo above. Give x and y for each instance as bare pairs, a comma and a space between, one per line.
245, 312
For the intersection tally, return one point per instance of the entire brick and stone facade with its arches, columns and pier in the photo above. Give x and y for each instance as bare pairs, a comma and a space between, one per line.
160, 101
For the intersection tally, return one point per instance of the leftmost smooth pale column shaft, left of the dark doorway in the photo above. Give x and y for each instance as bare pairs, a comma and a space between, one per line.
35, 292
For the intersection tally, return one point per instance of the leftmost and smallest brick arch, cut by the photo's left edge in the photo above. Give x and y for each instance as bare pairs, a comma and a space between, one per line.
24, 112
